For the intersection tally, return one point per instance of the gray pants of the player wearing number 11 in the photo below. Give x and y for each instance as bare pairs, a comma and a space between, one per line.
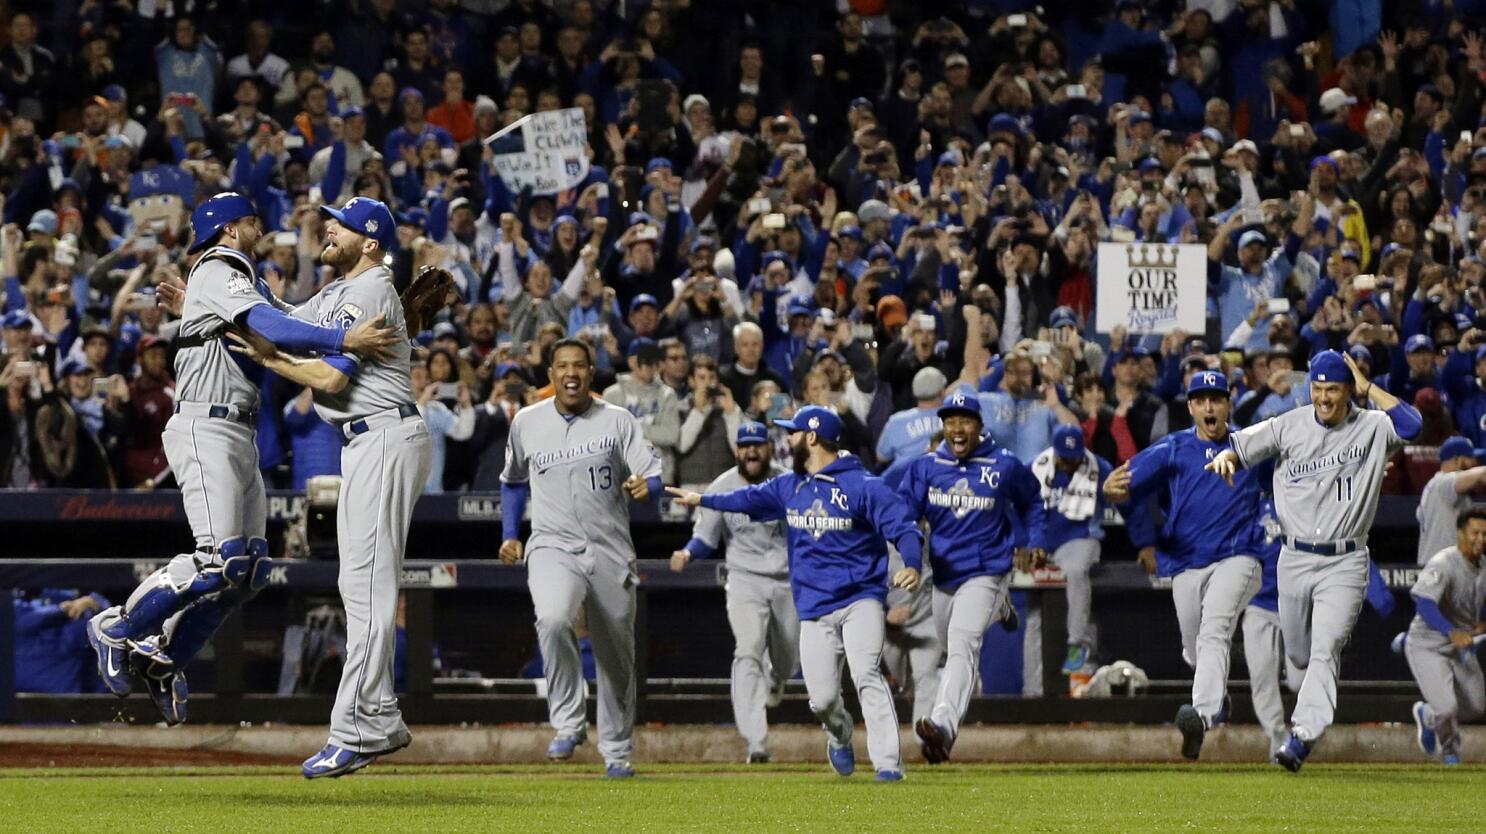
1320, 598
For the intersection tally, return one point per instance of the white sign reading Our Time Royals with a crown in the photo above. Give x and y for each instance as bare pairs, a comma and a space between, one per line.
1152, 288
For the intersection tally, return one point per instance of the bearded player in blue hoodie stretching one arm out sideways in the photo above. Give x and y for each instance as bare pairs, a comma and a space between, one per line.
840, 520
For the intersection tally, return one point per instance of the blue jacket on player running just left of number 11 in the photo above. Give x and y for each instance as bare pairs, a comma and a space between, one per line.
1206, 520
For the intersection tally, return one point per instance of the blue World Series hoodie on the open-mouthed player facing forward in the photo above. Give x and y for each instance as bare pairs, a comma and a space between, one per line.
970, 506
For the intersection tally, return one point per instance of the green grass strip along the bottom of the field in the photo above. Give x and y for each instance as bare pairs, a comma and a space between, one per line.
1025, 799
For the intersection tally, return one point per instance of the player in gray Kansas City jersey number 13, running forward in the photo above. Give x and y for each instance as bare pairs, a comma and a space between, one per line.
580, 462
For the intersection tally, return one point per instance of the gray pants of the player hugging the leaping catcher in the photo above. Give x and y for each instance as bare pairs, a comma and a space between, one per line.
383, 475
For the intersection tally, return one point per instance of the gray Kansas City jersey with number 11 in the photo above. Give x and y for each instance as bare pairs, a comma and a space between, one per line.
1326, 479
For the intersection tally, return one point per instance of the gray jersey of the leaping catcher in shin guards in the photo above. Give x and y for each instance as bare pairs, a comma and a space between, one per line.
219, 289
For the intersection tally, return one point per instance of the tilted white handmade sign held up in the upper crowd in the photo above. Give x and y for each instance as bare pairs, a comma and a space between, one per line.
543, 152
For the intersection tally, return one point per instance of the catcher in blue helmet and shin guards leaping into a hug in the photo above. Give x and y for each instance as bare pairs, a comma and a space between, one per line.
212, 448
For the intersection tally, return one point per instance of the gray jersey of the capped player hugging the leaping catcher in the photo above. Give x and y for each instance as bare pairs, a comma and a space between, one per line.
378, 386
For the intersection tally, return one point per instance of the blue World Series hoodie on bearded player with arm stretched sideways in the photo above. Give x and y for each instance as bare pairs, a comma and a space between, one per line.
840, 521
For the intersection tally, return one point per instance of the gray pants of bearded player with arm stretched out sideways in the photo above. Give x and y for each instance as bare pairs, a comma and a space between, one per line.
857, 634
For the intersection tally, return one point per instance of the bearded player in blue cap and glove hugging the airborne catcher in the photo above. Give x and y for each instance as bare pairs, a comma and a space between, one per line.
384, 466
